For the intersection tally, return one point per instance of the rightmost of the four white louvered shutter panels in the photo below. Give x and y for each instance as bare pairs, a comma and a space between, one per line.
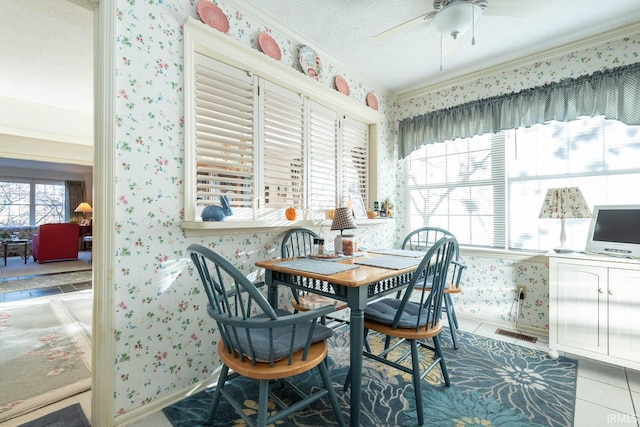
355, 144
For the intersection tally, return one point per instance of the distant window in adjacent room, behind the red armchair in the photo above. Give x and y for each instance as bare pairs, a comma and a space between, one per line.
31, 203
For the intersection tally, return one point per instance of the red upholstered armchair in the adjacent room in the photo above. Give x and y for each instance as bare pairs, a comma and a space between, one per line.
55, 242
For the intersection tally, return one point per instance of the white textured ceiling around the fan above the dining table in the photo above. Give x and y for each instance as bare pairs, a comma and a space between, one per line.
411, 59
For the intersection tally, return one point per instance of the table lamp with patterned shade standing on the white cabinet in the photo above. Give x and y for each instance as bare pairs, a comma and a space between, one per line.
563, 203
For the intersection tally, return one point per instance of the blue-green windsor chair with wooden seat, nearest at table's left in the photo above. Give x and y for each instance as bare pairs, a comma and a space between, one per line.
272, 345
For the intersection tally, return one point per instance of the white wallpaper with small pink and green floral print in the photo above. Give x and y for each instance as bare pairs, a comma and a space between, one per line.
165, 341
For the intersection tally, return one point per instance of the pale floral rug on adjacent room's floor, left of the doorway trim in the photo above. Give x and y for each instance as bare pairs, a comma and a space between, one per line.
46, 351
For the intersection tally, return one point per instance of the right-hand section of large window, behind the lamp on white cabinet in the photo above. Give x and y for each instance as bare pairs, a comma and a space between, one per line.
599, 156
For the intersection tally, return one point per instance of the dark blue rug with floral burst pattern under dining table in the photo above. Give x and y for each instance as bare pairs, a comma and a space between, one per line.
492, 383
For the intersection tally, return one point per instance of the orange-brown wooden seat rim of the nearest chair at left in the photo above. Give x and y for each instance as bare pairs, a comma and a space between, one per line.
281, 368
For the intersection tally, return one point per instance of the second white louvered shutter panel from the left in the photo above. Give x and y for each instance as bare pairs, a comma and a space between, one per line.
283, 148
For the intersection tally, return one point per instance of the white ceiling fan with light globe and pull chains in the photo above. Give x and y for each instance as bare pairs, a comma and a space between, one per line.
452, 18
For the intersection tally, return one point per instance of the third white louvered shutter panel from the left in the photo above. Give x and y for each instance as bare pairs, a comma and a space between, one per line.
323, 131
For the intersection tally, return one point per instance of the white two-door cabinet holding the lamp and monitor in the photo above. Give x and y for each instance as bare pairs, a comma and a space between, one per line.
594, 307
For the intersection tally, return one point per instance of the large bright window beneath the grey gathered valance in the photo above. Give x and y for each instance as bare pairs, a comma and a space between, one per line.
488, 189
